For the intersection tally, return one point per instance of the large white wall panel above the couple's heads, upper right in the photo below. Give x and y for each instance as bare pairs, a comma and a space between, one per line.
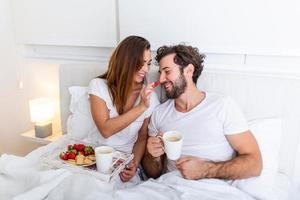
260, 27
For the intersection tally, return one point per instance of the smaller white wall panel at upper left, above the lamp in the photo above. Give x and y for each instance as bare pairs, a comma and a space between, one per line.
67, 22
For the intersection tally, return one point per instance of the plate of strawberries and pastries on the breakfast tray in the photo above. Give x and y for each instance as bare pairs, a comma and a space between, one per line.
78, 154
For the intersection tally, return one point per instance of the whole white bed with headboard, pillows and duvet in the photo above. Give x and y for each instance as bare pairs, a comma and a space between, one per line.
268, 100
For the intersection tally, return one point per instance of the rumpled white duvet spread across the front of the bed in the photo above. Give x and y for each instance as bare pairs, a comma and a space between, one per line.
25, 178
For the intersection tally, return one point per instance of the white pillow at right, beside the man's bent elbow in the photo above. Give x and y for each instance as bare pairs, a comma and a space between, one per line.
267, 132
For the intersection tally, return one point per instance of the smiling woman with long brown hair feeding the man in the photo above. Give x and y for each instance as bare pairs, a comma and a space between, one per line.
120, 103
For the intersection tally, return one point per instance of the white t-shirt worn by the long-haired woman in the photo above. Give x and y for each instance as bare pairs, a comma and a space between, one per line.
125, 139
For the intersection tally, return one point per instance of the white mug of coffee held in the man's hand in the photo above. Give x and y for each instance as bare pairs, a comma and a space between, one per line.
172, 144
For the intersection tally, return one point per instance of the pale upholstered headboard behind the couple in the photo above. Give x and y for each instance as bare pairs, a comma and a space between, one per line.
259, 93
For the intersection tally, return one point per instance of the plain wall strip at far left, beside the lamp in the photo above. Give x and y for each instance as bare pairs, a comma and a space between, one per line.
13, 108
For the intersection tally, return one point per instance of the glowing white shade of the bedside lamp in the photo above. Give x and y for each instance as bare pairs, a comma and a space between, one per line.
41, 110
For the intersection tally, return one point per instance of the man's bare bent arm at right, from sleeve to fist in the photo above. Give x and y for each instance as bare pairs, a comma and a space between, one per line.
247, 163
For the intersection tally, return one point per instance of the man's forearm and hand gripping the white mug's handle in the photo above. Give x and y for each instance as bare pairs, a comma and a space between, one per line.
153, 161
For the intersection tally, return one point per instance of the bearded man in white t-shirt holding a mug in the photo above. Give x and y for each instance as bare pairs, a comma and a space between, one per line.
217, 142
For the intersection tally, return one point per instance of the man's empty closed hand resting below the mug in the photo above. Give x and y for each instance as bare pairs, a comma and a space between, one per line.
192, 168
